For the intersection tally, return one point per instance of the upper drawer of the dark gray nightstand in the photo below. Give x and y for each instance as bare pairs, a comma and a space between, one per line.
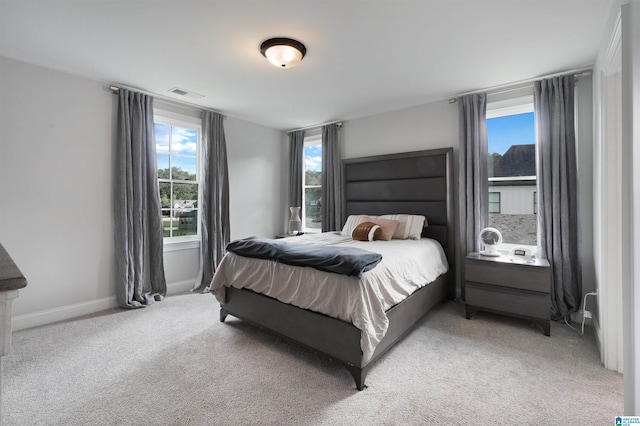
525, 277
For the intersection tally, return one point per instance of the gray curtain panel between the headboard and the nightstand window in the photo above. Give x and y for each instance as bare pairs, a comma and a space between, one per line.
474, 196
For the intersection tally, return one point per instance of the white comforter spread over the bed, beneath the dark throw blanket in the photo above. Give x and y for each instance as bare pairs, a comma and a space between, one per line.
406, 266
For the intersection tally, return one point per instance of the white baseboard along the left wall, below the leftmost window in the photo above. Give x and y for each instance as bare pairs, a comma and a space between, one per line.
62, 313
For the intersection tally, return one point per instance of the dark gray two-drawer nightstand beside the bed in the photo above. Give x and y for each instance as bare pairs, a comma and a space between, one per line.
502, 285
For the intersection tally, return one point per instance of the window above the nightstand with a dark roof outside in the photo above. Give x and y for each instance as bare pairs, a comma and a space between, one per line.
512, 171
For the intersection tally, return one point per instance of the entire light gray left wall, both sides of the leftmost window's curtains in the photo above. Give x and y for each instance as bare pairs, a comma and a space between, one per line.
56, 143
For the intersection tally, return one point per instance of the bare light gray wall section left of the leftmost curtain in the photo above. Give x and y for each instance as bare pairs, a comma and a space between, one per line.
55, 186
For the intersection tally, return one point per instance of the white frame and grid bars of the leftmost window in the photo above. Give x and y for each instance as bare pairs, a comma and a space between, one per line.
184, 121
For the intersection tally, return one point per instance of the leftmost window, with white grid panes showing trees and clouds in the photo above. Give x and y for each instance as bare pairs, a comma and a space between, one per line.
177, 156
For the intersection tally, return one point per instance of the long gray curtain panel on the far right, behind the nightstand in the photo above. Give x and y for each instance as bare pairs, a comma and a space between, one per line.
558, 186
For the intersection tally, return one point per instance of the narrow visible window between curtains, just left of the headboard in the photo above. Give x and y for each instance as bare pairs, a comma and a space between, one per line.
312, 184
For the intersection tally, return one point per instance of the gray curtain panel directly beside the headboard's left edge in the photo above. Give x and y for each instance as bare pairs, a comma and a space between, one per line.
331, 179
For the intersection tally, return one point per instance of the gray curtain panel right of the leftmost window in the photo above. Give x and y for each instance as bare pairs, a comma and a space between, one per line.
215, 225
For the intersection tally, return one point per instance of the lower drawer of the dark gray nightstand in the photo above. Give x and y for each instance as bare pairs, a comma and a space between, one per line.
509, 300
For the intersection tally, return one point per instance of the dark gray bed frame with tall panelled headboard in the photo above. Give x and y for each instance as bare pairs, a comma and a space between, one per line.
415, 183
